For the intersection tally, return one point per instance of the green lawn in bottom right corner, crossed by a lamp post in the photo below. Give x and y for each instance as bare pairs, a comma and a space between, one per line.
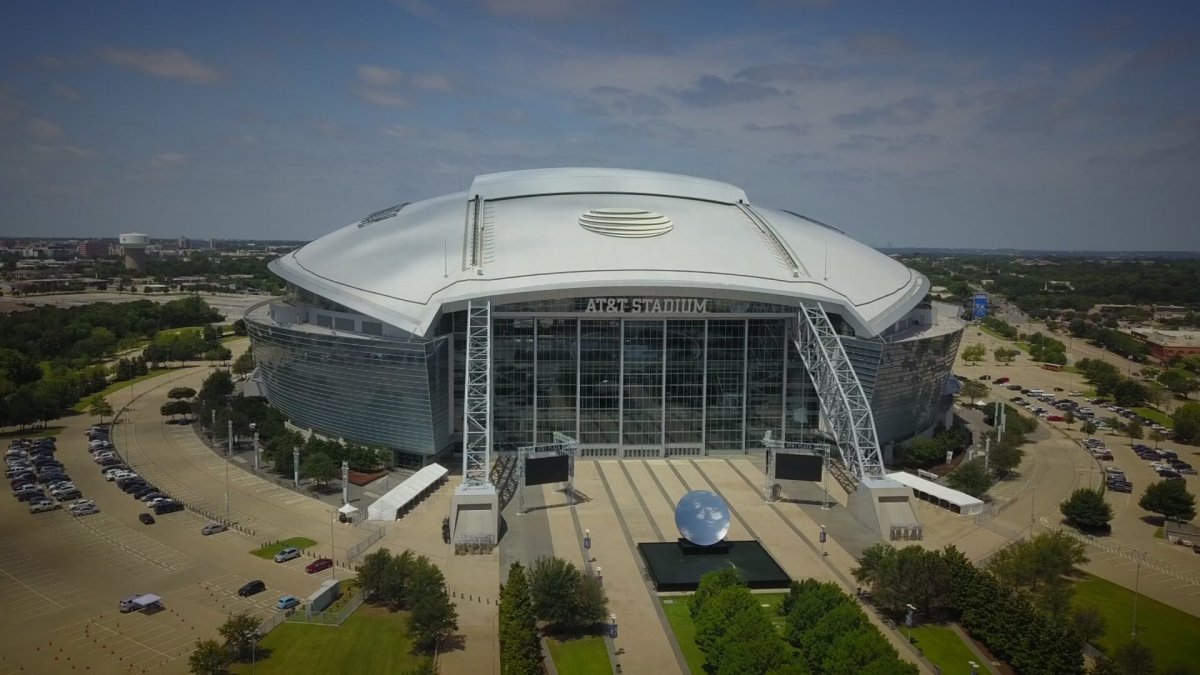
1168, 632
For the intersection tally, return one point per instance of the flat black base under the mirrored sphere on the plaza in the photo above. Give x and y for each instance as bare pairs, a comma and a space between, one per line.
679, 566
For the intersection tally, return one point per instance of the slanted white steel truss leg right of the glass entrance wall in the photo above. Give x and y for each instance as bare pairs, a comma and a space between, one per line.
844, 404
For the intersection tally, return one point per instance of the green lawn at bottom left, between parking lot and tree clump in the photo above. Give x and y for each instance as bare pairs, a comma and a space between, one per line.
373, 641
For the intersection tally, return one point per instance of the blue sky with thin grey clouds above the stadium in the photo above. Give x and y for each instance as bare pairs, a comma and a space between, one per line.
1057, 126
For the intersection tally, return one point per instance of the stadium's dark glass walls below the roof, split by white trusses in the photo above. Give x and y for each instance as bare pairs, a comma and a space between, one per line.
713, 379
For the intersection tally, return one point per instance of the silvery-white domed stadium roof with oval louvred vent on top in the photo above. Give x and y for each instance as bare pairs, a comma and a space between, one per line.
596, 232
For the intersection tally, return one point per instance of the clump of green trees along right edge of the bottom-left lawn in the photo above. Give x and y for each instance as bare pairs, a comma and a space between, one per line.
415, 584
